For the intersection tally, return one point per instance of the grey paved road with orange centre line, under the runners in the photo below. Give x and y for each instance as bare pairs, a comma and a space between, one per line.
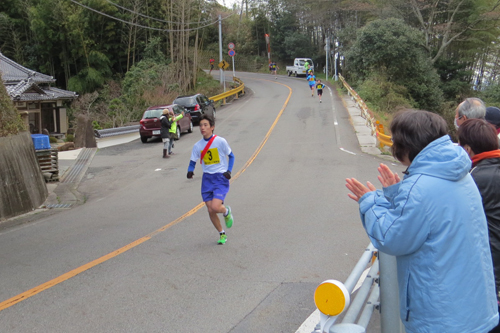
141, 256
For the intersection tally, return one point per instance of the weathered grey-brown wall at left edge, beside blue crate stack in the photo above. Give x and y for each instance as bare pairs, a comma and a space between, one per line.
22, 186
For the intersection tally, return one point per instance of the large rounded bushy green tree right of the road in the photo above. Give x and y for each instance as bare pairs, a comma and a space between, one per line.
392, 48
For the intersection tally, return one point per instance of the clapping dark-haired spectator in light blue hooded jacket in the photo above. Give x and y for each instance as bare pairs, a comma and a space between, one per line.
433, 222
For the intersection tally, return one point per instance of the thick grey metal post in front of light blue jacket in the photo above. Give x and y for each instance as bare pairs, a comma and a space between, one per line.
390, 320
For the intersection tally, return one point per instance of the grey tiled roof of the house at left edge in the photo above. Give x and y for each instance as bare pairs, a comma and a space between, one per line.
23, 84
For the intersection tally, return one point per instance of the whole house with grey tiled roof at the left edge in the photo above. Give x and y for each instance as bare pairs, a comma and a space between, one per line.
41, 105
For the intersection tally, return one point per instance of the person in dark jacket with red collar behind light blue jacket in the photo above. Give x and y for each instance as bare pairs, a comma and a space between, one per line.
479, 139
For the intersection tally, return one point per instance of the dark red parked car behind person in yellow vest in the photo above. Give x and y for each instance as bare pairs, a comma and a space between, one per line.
151, 125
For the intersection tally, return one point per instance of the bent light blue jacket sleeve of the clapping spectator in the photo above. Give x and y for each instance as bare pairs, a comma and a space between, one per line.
394, 221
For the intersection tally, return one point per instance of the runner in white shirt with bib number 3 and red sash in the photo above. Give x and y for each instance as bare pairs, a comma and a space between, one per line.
217, 161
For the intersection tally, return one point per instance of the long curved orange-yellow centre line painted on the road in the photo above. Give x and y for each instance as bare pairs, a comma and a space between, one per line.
32, 292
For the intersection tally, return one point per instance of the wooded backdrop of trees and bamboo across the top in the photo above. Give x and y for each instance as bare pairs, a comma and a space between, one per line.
90, 45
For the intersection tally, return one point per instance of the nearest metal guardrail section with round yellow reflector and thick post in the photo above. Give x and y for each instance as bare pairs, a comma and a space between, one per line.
333, 298
